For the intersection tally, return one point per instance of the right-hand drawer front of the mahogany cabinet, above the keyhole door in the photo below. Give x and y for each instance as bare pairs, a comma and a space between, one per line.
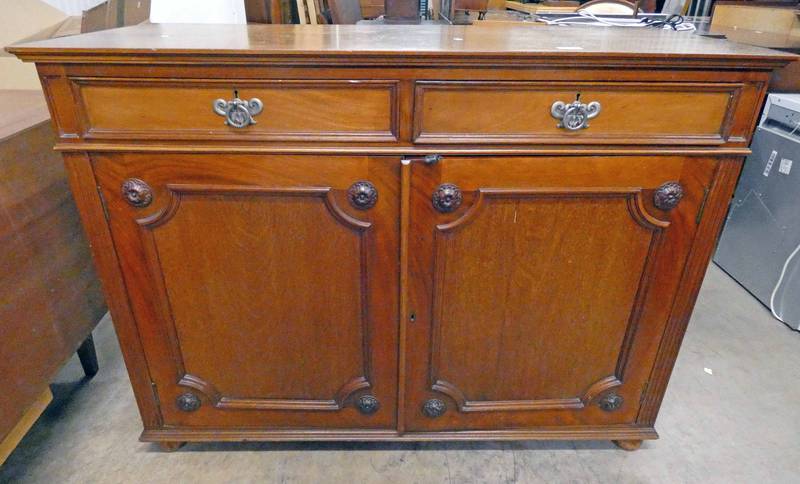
520, 112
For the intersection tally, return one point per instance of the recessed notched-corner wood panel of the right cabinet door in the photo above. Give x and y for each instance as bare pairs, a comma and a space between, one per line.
536, 244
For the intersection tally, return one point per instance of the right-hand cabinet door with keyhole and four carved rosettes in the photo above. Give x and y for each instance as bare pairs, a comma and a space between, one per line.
539, 288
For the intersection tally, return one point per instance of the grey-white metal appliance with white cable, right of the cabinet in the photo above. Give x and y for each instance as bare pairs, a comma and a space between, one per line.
760, 243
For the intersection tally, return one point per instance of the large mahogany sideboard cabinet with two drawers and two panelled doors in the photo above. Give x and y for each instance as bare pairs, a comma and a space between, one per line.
401, 233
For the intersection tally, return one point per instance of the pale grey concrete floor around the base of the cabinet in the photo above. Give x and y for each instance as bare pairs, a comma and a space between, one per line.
731, 414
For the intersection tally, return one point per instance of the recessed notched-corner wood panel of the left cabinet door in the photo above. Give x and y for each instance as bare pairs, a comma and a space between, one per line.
294, 304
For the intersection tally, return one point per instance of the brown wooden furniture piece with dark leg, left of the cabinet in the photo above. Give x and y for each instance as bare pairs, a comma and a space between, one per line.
50, 298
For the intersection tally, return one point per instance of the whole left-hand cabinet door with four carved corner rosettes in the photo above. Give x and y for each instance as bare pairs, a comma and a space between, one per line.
264, 288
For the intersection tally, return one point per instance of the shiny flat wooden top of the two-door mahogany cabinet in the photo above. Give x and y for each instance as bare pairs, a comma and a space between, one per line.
397, 41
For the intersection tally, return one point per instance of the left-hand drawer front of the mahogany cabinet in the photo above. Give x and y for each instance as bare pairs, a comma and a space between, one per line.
292, 110
